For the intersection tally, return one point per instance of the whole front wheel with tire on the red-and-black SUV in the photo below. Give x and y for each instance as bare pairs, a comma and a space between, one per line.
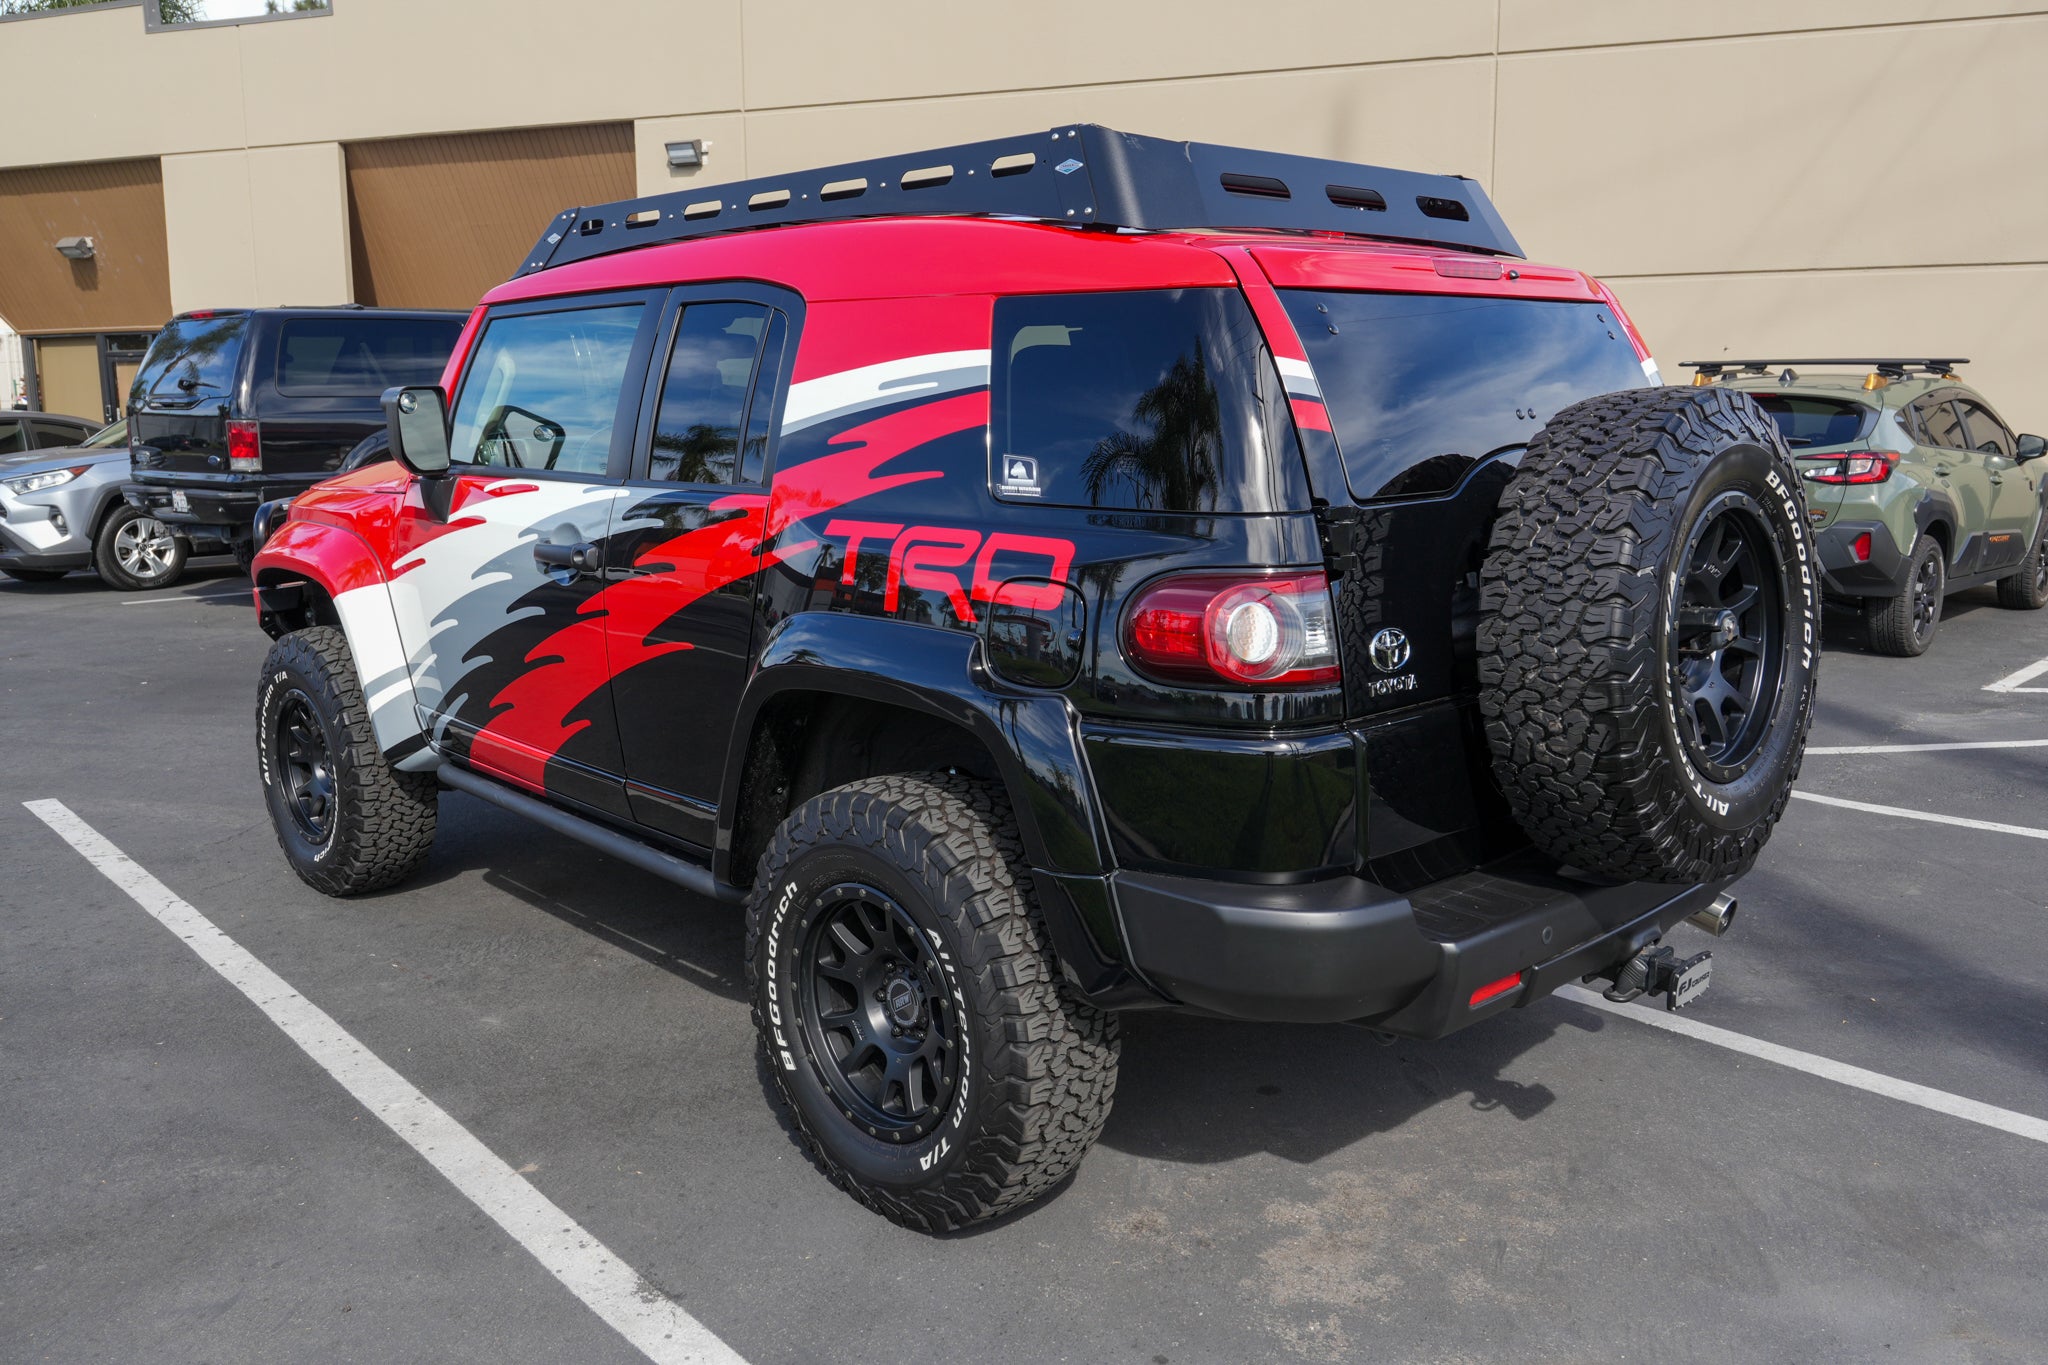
345, 818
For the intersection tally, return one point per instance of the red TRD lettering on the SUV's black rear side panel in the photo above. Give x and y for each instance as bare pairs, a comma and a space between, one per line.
929, 558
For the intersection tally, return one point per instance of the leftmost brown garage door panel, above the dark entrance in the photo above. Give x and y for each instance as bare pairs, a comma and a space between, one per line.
124, 285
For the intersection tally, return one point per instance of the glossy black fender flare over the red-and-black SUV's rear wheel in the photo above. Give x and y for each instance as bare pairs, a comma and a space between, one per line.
1031, 736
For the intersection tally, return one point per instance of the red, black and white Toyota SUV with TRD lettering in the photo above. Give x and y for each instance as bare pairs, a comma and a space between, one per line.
1060, 576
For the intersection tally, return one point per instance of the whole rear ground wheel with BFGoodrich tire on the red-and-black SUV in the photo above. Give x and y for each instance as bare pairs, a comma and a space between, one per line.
931, 1055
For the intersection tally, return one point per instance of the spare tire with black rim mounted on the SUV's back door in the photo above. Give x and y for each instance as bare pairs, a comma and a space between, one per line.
1650, 635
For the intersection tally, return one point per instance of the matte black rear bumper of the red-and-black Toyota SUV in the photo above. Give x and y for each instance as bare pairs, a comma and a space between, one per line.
1351, 951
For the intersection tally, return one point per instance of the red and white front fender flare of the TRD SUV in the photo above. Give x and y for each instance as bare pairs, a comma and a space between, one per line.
343, 568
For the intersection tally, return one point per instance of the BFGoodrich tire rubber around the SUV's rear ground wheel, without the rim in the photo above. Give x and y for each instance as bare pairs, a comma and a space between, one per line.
1056, 1069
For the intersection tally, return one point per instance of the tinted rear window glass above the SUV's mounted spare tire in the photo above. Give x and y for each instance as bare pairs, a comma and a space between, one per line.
1420, 388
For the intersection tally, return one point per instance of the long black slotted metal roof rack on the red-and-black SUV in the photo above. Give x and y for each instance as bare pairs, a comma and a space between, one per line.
1082, 175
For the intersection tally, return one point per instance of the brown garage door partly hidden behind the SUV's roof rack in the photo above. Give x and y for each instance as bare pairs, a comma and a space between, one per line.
439, 220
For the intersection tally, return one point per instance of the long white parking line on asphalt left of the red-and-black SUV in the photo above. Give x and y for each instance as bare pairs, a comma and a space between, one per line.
611, 1288
